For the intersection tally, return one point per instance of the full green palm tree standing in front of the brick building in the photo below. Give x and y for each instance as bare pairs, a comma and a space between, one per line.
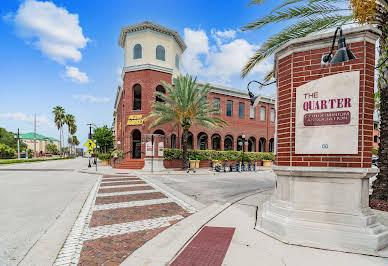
183, 106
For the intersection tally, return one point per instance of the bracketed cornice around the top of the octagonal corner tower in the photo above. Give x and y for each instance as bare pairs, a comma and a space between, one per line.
151, 26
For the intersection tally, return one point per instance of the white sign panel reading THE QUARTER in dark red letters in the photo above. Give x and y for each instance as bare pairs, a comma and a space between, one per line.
327, 114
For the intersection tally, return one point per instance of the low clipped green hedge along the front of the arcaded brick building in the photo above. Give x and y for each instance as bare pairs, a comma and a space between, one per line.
176, 154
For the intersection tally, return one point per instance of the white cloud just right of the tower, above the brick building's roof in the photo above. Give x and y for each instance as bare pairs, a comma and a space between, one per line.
222, 61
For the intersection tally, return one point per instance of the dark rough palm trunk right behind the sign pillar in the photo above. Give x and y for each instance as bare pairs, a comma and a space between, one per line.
380, 185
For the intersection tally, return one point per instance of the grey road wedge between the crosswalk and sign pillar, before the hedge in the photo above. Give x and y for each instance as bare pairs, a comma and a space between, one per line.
221, 187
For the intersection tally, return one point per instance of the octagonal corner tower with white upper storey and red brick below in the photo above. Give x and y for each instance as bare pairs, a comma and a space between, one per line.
152, 54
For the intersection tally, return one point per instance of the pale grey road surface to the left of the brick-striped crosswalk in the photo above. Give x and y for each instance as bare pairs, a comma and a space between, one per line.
32, 197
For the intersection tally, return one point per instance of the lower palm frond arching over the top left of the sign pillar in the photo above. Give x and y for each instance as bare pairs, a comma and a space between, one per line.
297, 30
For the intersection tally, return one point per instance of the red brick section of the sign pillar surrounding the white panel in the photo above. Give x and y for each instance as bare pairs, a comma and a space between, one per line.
299, 68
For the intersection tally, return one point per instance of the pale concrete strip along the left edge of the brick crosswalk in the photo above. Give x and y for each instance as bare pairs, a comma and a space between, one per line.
46, 249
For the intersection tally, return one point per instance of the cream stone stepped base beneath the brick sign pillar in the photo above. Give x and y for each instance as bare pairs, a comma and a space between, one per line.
324, 208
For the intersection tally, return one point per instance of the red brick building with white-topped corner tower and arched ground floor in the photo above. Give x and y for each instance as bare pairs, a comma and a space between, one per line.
152, 54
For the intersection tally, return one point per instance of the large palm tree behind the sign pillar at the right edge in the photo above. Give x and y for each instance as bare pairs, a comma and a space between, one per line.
309, 16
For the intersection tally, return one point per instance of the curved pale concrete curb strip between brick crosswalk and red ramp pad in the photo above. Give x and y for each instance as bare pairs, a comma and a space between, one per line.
164, 247
